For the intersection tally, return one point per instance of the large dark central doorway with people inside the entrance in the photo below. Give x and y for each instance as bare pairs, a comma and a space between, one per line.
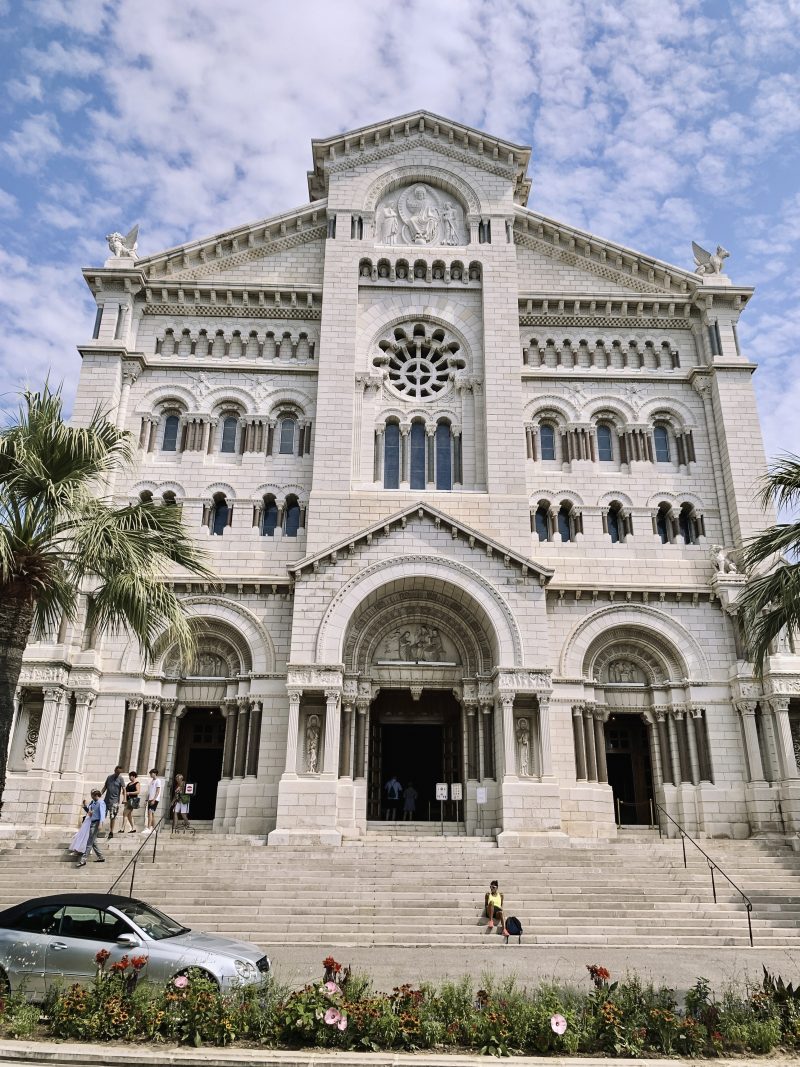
420, 742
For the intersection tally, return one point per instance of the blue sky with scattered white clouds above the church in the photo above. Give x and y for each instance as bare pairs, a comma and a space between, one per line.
653, 123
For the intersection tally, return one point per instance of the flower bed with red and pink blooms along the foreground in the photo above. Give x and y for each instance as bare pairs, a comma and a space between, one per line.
625, 1018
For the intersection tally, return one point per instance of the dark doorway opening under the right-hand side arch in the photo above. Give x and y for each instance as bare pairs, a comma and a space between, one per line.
630, 774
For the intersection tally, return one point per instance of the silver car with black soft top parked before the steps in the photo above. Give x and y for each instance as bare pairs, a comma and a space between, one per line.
55, 939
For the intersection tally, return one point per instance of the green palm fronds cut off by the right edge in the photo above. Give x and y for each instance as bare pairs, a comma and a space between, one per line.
771, 602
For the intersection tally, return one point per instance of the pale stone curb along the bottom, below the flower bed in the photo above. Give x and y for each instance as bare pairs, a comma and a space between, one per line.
74, 1055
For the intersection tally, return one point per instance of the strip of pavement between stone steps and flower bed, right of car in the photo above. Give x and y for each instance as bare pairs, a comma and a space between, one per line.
678, 968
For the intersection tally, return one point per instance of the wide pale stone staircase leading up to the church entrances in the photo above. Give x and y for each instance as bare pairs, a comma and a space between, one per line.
405, 886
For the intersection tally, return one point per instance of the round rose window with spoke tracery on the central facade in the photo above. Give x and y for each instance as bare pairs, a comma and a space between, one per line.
419, 363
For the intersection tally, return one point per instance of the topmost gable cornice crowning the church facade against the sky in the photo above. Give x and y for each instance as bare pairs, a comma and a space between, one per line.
405, 133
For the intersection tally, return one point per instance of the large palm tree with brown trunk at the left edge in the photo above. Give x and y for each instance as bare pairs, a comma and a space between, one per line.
59, 536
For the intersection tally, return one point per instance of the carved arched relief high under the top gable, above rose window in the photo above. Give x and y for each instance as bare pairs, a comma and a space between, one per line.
420, 215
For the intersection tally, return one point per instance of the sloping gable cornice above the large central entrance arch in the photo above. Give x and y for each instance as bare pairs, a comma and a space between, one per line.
386, 528
